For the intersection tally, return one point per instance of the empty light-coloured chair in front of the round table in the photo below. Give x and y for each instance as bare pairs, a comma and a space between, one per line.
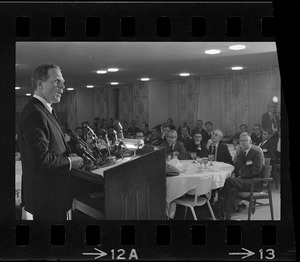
198, 196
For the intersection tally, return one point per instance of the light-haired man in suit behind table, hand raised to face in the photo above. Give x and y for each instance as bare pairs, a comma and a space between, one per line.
216, 147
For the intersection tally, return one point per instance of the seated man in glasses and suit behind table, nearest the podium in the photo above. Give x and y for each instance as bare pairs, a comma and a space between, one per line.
174, 147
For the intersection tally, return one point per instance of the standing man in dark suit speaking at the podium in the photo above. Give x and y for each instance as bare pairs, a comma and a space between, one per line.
46, 163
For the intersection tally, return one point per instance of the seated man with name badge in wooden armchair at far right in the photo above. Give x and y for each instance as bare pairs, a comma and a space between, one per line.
248, 165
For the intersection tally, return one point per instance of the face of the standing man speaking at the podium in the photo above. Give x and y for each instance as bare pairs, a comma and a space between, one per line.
52, 88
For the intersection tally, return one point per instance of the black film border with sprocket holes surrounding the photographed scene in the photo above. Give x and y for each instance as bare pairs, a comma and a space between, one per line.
145, 14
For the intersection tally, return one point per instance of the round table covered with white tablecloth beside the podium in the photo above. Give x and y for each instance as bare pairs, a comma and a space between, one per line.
176, 186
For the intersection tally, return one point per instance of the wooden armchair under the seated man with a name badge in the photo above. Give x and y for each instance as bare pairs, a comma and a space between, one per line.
266, 193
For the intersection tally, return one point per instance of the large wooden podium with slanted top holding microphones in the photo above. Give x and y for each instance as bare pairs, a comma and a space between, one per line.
133, 190
